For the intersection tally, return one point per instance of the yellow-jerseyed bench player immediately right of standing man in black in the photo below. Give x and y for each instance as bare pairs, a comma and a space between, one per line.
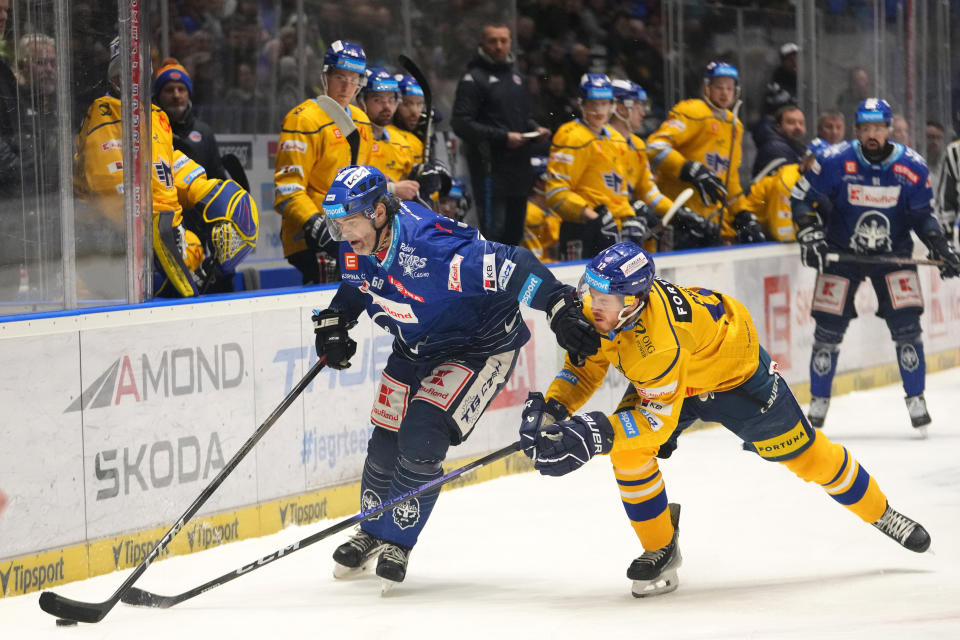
585, 175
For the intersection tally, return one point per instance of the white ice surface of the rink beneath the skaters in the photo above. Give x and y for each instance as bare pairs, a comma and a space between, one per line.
765, 556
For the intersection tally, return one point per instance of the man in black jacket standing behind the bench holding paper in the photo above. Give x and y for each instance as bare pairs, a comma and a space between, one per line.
491, 113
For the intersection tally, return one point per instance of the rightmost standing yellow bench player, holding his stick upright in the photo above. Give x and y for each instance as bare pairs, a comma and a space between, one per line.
699, 144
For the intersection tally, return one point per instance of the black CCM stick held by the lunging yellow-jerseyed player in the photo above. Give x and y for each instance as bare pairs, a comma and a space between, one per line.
147, 599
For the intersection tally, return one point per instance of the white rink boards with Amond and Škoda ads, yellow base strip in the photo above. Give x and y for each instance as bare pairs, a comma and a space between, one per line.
115, 421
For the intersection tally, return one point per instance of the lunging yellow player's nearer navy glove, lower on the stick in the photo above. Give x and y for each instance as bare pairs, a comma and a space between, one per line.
567, 445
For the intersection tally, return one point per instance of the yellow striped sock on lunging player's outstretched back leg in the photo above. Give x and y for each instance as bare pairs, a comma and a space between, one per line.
842, 477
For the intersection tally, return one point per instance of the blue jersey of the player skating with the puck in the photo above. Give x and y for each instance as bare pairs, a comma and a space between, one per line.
443, 290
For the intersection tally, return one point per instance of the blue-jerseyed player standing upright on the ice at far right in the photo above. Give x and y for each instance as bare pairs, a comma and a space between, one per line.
879, 191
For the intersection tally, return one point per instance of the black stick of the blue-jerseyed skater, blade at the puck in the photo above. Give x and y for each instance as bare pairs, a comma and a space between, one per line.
57, 605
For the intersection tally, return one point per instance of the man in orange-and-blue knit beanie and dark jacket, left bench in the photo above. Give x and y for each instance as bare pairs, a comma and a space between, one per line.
172, 90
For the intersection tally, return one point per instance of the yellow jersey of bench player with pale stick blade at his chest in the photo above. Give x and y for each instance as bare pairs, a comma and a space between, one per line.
310, 152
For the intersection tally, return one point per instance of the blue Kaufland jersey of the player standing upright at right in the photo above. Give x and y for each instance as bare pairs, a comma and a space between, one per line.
874, 206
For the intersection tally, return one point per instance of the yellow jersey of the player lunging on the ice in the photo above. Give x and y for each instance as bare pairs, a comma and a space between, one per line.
686, 341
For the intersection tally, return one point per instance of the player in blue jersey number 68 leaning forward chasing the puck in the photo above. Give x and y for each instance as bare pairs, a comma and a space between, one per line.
451, 300
